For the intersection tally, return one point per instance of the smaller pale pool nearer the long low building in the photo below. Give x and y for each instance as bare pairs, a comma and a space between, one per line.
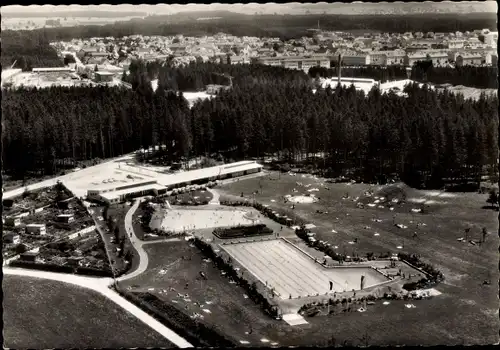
180, 220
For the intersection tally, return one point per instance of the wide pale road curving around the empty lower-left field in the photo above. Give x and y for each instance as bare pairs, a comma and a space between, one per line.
101, 285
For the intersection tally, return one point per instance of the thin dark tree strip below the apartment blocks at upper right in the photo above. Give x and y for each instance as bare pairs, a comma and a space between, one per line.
478, 77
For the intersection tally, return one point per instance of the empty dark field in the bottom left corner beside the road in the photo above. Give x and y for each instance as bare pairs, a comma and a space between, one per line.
48, 314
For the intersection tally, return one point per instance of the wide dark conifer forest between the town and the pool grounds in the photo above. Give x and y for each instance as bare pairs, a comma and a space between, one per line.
429, 136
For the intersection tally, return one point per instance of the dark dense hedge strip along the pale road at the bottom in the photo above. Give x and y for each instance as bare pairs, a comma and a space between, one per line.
198, 334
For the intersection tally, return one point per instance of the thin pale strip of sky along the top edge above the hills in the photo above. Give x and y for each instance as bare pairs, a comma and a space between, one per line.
250, 8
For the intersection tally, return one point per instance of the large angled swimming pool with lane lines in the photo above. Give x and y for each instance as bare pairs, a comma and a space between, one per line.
292, 273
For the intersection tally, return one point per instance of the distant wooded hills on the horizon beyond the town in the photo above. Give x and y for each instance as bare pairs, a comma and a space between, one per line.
282, 26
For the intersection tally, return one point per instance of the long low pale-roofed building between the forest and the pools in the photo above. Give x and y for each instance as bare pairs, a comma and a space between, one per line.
114, 193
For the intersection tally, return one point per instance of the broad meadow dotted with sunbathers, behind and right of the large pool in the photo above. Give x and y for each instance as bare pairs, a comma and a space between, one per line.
438, 227
